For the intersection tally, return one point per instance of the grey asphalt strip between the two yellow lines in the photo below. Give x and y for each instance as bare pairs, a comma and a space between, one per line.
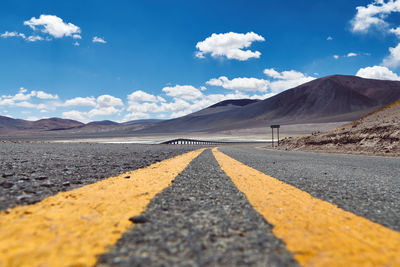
200, 220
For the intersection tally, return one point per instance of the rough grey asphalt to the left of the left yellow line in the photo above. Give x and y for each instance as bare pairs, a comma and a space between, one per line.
32, 171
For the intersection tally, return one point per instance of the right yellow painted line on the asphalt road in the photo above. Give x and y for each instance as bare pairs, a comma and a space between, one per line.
317, 232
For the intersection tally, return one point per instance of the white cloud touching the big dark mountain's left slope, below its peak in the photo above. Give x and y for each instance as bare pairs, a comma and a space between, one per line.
286, 79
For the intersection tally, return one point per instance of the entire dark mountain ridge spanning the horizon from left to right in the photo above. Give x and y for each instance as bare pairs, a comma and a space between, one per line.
334, 98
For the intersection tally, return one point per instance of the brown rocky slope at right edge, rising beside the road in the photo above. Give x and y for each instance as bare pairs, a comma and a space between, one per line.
377, 133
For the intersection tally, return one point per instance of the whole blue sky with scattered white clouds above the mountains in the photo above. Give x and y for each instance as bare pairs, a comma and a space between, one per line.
129, 60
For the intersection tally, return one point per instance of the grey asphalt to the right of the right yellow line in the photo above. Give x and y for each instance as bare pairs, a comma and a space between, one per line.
366, 186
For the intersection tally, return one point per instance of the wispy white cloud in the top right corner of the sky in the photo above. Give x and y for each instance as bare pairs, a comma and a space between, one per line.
374, 15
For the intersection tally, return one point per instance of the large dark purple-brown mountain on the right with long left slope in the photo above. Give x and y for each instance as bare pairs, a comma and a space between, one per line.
334, 98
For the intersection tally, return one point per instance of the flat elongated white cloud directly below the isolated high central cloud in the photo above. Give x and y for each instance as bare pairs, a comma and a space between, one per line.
240, 84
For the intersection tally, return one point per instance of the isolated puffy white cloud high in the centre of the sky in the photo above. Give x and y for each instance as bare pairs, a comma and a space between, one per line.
230, 45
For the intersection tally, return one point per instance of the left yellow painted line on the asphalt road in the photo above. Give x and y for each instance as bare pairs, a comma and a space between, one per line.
71, 228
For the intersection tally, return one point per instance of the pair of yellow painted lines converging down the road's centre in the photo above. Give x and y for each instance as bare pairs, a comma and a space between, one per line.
72, 227
